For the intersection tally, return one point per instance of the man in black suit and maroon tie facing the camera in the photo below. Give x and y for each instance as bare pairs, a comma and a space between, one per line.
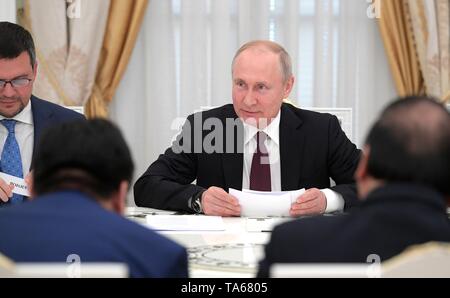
257, 143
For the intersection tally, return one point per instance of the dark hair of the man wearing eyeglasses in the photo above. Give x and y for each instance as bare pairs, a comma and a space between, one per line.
14, 40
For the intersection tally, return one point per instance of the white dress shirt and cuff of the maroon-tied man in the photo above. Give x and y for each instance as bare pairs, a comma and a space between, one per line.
335, 202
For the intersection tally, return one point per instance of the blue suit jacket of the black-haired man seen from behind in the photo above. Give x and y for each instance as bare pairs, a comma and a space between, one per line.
54, 226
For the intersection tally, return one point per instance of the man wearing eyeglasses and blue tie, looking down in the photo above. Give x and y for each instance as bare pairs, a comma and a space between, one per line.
22, 115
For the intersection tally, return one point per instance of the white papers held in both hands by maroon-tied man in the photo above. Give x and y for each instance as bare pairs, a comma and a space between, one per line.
264, 204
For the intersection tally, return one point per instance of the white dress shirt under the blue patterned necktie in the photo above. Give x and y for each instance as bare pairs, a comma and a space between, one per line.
24, 132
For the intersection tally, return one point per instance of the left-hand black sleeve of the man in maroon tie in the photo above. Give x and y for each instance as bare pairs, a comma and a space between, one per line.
167, 182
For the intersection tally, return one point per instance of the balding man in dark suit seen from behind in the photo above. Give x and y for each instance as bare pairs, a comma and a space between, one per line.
403, 179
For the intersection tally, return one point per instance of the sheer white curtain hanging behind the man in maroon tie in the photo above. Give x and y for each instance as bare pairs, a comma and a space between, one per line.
183, 54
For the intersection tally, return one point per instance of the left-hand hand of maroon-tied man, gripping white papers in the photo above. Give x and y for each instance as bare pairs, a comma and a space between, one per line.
216, 201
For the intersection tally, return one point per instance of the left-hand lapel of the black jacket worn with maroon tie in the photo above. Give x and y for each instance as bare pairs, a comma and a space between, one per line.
233, 163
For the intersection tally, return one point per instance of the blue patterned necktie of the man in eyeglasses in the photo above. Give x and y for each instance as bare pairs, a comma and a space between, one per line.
11, 161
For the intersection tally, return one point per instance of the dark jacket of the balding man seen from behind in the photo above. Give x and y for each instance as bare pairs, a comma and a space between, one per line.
388, 221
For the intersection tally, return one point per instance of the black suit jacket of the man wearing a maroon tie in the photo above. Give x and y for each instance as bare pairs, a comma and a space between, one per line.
313, 148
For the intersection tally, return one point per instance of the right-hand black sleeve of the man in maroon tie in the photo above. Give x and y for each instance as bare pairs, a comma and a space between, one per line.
343, 159
